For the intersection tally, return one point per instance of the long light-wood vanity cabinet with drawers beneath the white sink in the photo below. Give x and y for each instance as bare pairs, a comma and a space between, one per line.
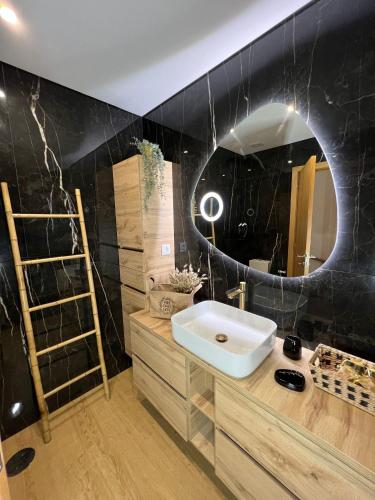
256, 451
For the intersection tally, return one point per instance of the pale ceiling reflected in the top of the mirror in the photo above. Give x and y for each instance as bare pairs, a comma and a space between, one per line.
270, 126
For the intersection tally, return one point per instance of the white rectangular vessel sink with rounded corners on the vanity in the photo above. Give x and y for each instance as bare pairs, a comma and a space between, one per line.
233, 341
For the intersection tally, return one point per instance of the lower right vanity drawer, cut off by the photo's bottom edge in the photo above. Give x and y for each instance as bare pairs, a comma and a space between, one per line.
243, 476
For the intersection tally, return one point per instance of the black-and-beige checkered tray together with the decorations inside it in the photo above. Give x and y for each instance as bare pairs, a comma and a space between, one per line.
348, 377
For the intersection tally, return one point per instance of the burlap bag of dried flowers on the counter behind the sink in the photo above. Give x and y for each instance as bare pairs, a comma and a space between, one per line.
178, 294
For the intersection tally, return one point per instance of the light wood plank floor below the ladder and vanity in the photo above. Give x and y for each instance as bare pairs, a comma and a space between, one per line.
117, 449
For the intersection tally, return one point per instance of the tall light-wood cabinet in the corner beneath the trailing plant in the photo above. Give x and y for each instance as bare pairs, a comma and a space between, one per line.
141, 234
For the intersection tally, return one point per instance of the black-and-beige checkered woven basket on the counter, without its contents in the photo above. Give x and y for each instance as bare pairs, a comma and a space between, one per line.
326, 377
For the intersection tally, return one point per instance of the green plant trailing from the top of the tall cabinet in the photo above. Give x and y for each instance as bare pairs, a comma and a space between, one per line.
153, 167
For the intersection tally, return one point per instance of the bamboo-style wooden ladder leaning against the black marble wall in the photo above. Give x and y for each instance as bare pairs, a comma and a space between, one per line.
27, 310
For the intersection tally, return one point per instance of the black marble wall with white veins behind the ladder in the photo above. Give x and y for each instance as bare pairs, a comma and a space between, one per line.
53, 140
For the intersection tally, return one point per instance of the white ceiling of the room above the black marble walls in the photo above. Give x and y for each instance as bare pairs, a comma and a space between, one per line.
133, 54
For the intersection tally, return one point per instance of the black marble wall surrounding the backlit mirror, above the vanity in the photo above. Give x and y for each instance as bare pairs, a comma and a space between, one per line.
321, 60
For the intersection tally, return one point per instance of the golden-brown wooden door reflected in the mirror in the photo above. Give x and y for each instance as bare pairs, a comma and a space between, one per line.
301, 212
